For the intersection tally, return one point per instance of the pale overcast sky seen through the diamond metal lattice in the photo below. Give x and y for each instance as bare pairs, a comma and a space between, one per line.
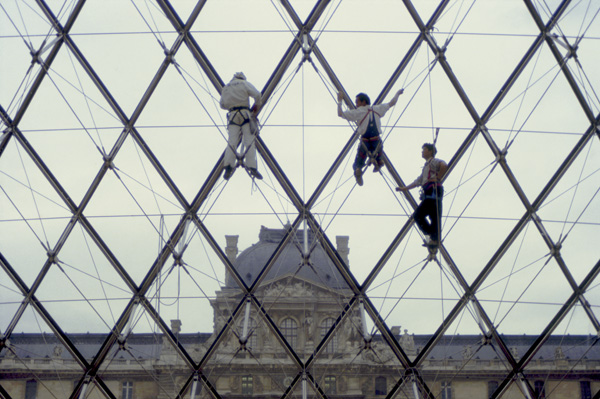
70, 126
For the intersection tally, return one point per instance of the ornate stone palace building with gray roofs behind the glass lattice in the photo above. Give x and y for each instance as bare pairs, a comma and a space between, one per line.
247, 359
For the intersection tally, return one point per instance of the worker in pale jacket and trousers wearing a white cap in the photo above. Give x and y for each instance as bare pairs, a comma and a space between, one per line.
235, 98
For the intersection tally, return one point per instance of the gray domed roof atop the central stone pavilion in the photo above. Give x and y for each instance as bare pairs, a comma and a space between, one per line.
252, 260
